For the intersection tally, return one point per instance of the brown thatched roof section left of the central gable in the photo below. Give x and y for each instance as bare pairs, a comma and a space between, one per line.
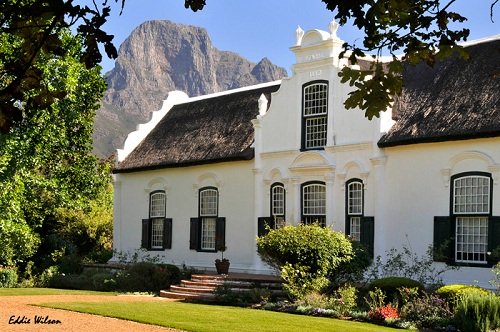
209, 130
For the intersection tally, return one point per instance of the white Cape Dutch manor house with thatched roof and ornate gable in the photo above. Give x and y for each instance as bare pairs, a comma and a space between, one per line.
212, 170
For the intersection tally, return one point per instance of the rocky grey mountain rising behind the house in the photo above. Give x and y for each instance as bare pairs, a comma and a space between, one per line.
161, 56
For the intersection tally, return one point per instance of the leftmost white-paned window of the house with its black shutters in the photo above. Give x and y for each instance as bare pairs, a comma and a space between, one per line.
157, 229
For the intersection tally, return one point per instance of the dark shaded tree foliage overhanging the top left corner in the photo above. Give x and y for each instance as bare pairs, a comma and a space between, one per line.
30, 30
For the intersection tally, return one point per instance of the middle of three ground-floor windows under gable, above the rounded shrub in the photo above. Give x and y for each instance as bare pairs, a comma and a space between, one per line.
314, 203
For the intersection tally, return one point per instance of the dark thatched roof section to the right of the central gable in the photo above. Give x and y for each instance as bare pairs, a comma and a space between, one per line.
457, 99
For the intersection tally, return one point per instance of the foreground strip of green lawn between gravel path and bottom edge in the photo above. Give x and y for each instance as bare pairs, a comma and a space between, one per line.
199, 317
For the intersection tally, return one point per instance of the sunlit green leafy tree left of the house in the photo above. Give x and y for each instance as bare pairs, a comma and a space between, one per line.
45, 159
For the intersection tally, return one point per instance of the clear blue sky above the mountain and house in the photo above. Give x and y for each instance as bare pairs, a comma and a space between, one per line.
265, 28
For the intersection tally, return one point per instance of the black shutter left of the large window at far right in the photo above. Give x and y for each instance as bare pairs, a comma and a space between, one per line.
443, 243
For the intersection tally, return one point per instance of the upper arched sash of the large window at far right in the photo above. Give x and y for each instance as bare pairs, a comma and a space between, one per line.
471, 194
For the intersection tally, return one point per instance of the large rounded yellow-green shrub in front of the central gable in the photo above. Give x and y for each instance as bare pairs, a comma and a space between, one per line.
304, 255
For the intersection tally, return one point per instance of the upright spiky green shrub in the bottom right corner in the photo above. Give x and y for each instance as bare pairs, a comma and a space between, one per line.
475, 312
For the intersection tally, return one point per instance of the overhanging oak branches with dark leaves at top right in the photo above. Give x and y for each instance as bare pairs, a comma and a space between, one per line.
420, 29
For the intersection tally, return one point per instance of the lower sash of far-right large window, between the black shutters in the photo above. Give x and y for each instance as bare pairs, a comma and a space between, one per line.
471, 239
